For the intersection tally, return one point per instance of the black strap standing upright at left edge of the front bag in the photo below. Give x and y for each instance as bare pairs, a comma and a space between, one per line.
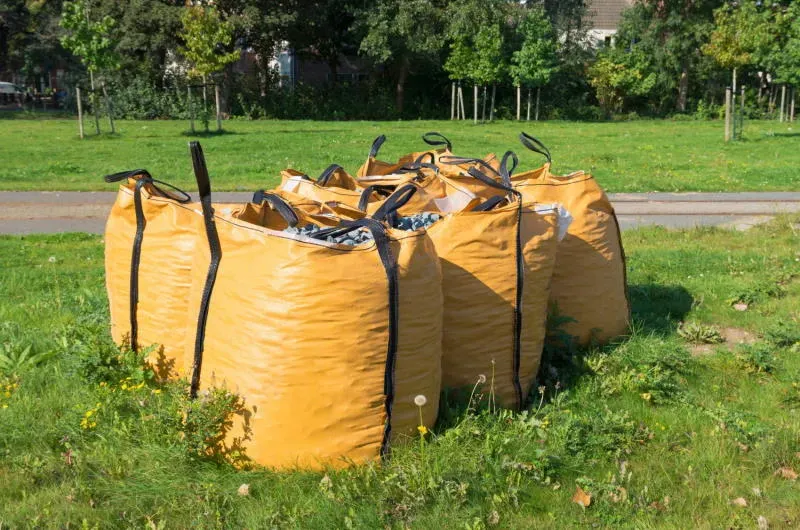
204, 187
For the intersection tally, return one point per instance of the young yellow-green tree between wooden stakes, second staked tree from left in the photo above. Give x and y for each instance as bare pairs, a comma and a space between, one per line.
207, 37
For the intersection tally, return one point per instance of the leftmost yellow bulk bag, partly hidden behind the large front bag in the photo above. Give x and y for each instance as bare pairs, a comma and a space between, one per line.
149, 243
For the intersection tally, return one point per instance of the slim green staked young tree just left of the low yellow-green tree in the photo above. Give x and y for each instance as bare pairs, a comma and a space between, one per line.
534, 63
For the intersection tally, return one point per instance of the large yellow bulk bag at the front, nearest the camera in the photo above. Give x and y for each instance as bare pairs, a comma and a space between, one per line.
328, 344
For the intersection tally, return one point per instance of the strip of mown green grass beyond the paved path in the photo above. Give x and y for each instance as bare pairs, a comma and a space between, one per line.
625, 156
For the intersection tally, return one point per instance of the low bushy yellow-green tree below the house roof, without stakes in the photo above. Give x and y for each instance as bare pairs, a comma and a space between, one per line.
617, 76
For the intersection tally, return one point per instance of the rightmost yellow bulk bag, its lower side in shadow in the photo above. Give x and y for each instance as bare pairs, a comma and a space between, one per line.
589, 279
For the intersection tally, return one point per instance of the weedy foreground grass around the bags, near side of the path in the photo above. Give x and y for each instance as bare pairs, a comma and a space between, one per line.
660, 432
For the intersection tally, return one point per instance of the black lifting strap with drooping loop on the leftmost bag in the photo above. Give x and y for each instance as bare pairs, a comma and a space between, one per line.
143, 178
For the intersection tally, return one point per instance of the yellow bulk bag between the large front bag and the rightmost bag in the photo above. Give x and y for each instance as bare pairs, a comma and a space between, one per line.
496, 269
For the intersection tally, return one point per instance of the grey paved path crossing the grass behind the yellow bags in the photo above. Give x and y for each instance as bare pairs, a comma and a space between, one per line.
29, 212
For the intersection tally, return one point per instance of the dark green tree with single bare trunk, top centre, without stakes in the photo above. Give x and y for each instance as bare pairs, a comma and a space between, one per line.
400, 34
